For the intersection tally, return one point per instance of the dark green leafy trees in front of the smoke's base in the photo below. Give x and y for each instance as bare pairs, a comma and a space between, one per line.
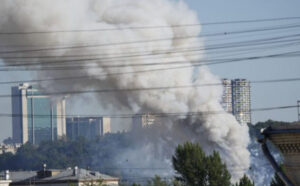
195, 168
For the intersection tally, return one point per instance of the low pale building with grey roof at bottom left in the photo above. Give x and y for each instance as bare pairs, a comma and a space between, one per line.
67, 177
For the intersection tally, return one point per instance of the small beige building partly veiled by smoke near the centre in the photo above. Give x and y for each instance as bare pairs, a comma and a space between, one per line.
145, 120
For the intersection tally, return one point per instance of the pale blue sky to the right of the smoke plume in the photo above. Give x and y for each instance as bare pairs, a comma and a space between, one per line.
264, 95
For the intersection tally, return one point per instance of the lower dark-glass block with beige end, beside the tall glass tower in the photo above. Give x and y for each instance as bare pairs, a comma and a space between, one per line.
87, 127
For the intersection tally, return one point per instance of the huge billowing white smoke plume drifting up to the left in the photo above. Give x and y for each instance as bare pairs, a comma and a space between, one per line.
219, 132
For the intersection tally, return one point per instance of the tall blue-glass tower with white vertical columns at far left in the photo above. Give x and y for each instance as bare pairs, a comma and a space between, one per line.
36, 117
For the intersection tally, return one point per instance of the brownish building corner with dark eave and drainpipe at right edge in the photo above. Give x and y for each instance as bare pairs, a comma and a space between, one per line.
287, 140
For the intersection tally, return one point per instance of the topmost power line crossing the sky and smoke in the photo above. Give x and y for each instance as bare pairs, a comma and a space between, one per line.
152, 27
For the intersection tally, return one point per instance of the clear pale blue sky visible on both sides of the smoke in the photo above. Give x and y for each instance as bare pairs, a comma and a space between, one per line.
262, 95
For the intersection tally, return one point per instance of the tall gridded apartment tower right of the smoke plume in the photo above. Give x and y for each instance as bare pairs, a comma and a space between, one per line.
237, 99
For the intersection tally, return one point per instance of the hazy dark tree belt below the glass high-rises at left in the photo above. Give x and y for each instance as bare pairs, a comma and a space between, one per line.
65, 153
